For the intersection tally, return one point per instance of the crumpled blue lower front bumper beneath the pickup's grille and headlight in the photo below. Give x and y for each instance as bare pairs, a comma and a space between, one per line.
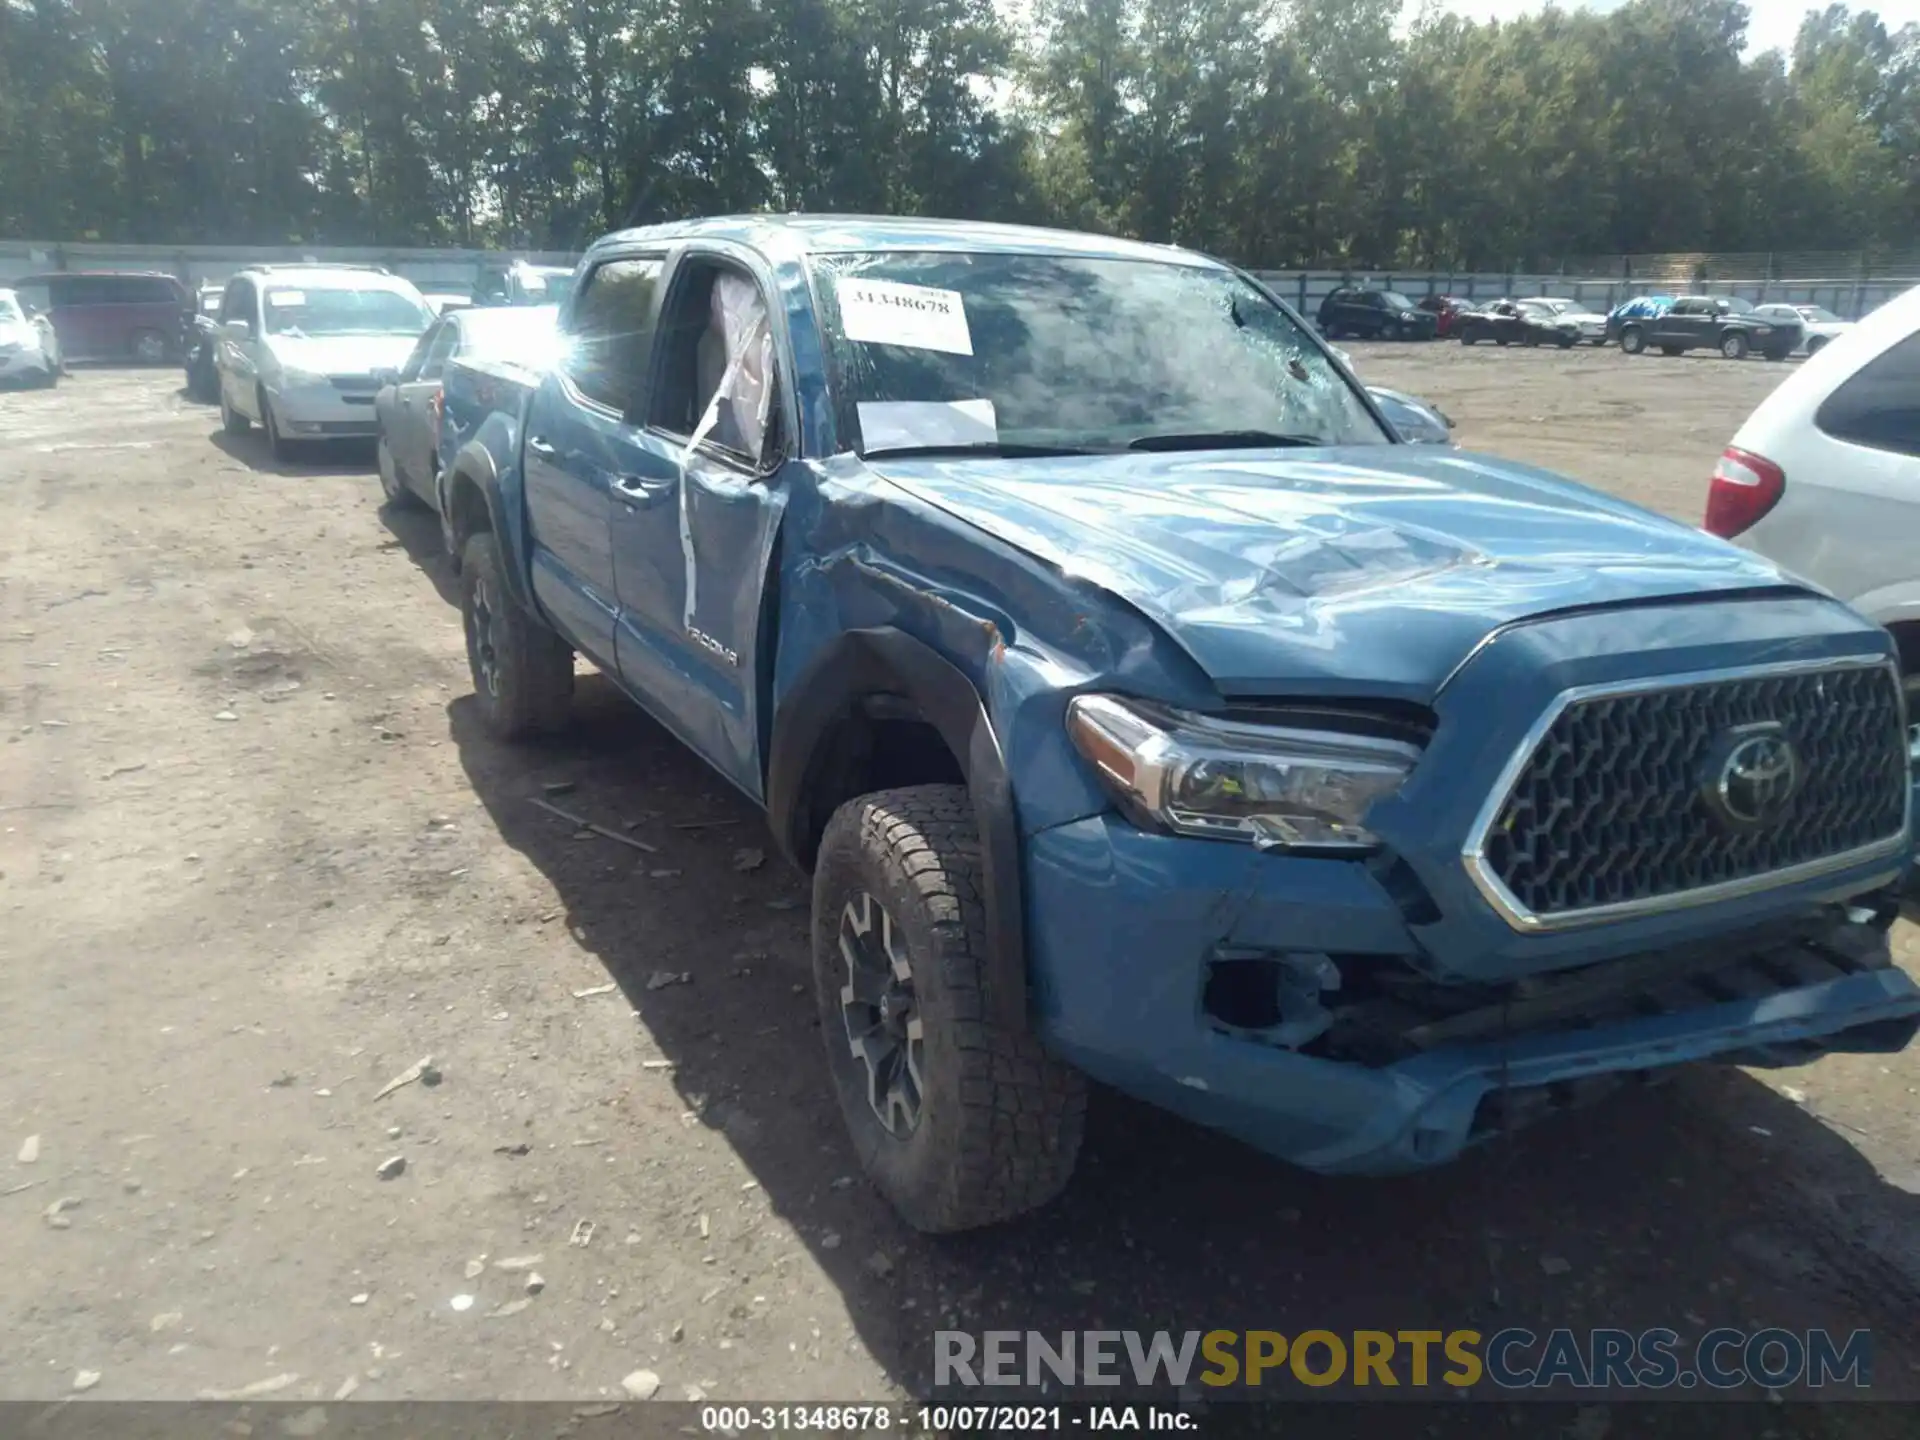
1128, 928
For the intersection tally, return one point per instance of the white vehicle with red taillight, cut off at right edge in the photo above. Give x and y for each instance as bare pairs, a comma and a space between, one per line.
1825, 477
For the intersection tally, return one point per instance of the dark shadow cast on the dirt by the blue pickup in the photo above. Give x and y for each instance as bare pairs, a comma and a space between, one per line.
1704, 1203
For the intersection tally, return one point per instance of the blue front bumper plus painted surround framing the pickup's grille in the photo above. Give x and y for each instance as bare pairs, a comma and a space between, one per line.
1374, 1015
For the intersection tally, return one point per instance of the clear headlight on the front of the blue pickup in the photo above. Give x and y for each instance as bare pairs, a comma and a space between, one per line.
1268, 786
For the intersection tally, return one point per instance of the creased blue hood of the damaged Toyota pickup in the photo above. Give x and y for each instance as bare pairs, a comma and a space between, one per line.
1376, 567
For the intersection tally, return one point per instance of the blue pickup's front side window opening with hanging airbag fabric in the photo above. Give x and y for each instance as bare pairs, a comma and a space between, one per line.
717, 383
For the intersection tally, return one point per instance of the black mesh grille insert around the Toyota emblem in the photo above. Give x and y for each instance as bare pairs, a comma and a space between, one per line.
1610, 809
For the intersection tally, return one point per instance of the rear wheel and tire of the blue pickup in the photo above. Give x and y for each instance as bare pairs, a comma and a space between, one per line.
525, 681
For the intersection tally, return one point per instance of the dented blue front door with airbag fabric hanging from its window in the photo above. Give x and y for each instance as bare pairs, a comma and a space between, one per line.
696, 516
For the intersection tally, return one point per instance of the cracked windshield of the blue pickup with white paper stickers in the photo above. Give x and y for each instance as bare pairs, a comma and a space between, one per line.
992, 350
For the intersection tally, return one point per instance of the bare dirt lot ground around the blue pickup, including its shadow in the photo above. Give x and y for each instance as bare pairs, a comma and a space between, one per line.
256, 863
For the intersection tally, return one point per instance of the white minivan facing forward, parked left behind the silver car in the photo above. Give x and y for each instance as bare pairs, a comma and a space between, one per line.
302, 345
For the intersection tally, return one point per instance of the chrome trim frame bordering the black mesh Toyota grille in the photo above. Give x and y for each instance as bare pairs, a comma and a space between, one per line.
1522, 919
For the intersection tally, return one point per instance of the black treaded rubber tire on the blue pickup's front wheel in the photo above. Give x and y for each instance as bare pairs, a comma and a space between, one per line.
999, 1120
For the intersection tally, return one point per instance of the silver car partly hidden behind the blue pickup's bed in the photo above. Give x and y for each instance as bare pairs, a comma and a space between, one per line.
408, 404
